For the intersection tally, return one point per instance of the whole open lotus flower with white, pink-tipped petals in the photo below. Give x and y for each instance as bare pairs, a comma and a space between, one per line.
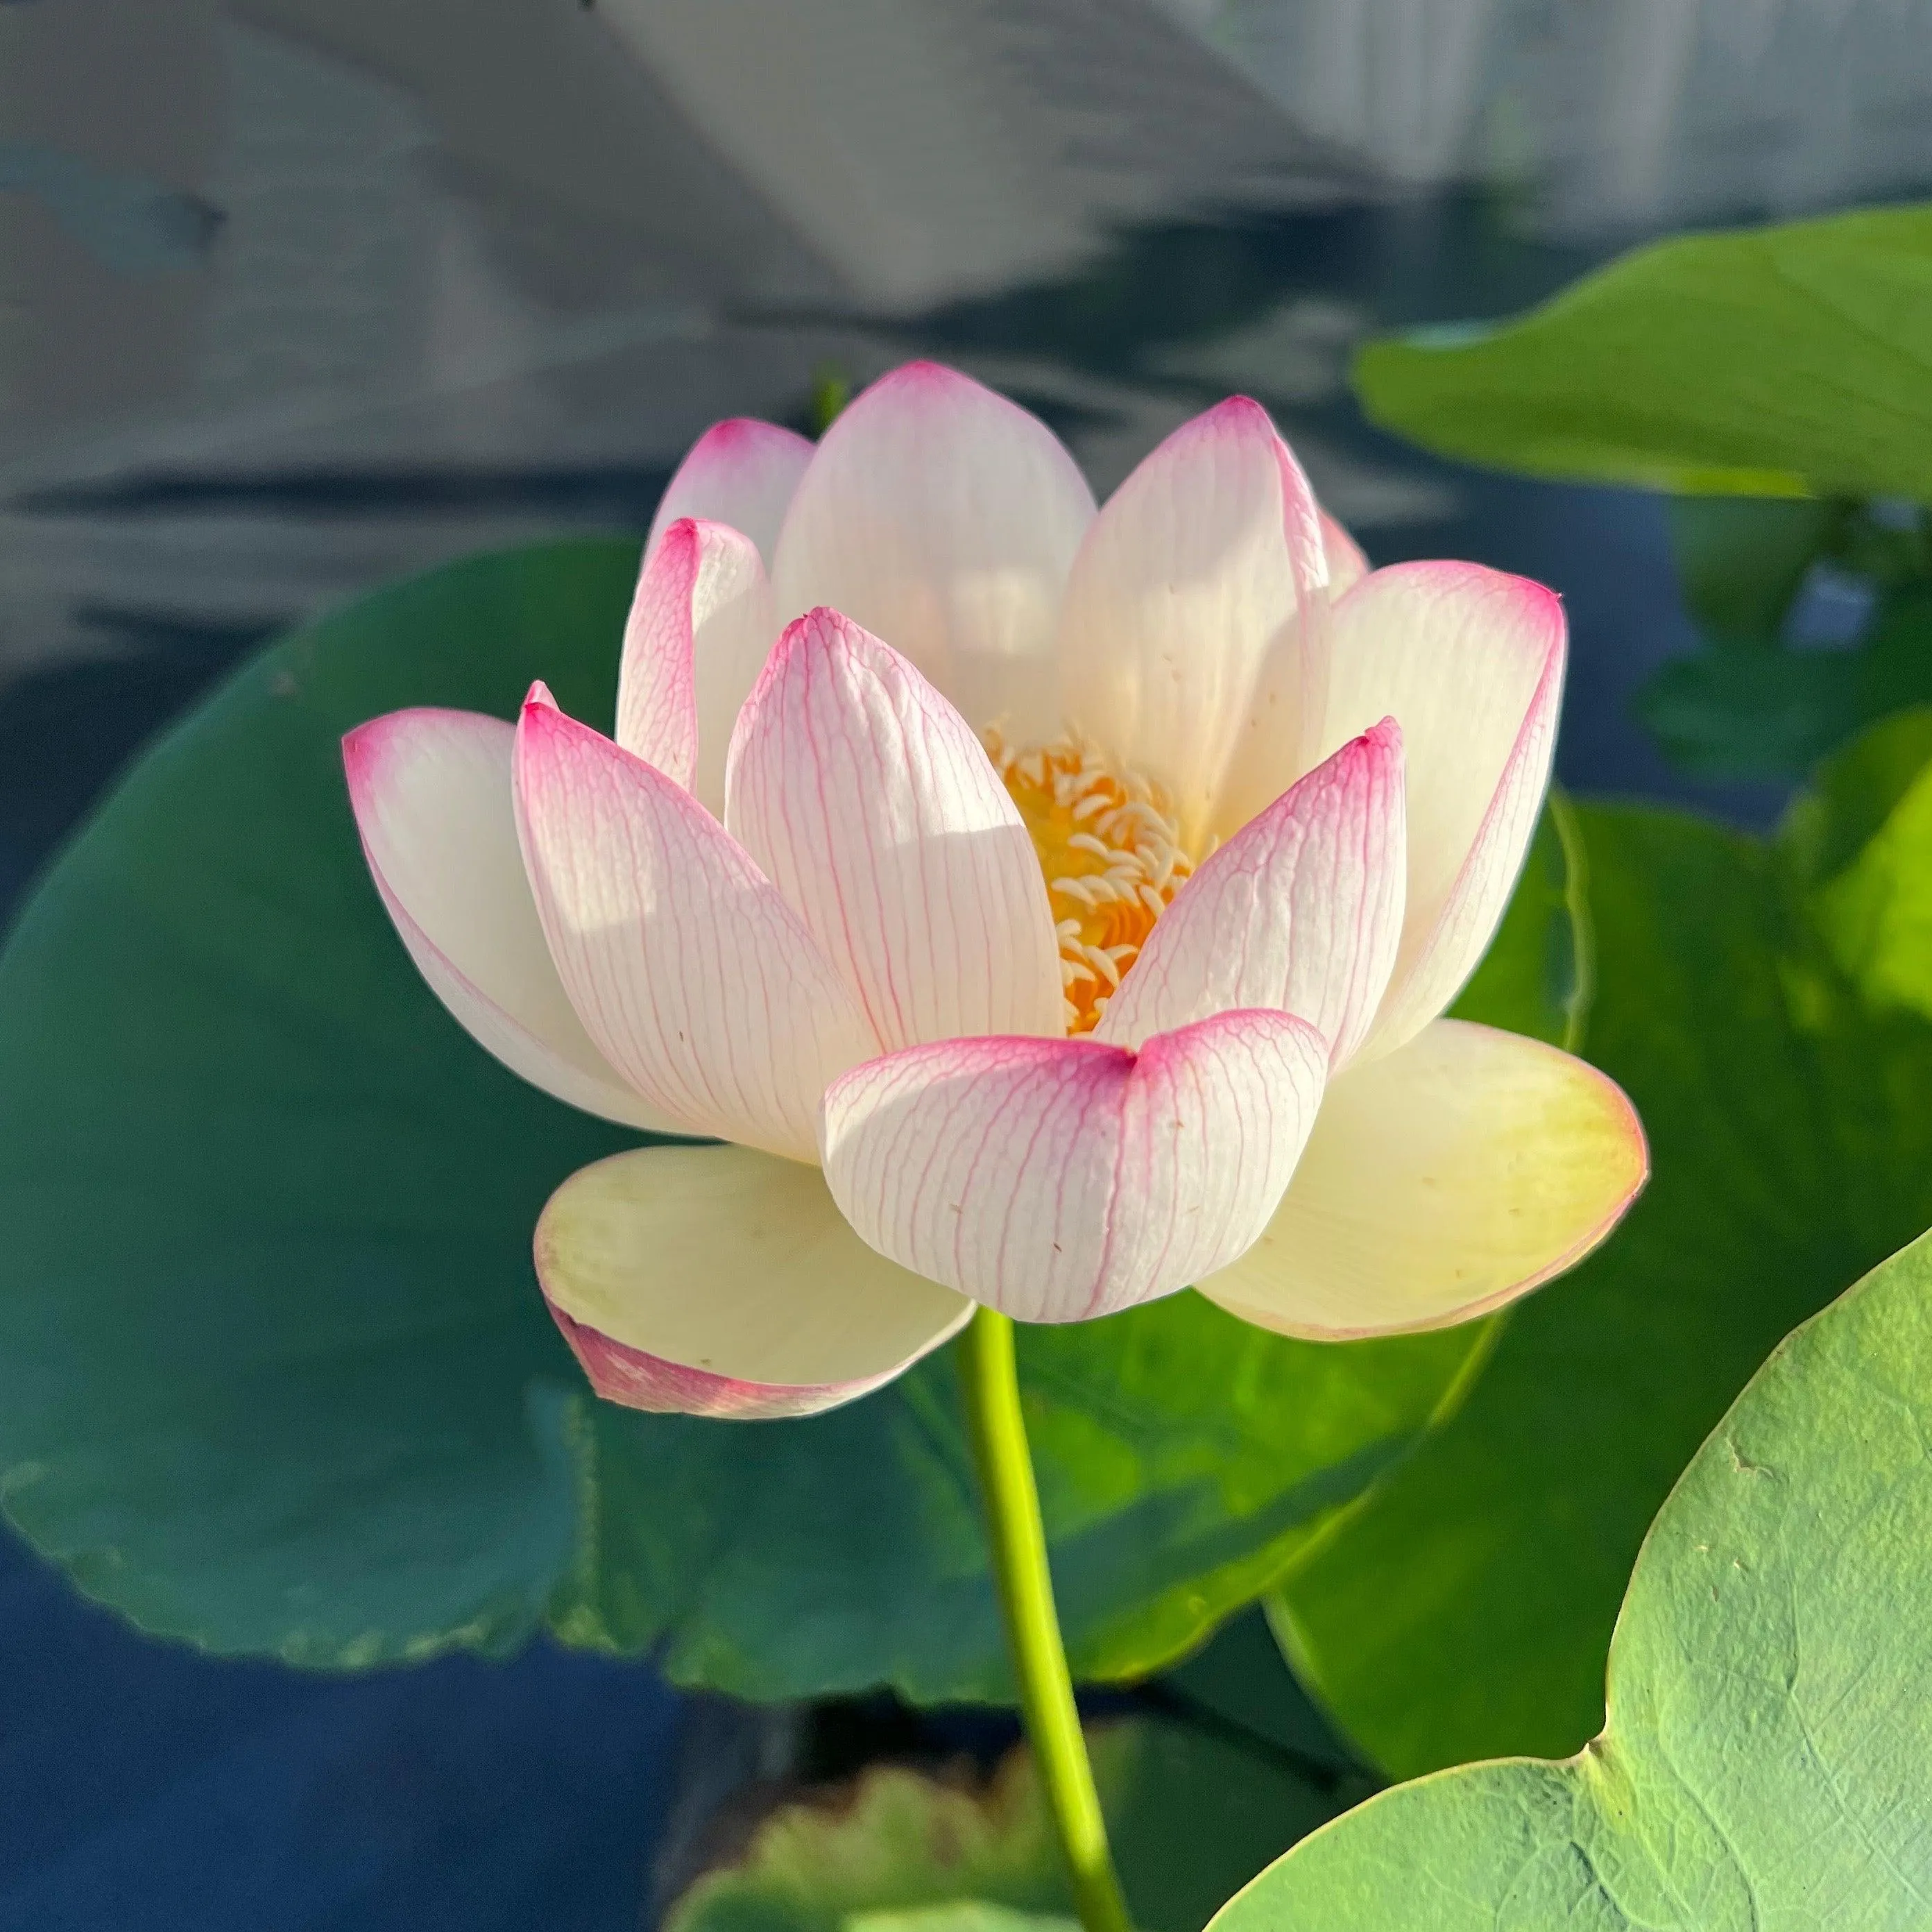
1027, 905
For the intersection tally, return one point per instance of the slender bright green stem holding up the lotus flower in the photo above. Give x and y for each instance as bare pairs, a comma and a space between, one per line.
1019, 1543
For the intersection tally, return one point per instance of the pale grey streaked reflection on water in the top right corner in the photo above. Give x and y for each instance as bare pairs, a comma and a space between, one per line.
1651, 113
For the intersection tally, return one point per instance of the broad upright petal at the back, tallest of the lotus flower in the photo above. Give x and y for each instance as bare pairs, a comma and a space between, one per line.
944, 519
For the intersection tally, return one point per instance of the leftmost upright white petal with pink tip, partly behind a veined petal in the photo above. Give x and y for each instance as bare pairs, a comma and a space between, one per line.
432, 795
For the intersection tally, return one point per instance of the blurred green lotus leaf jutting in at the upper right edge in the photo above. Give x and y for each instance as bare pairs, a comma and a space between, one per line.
1769, 362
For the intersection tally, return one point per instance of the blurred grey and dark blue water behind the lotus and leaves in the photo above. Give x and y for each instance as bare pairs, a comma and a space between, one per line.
306, 295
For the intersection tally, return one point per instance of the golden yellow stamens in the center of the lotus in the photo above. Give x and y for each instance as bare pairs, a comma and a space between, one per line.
1112, 855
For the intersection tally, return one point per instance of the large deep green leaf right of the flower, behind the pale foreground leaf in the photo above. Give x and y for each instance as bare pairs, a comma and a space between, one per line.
1767, 1008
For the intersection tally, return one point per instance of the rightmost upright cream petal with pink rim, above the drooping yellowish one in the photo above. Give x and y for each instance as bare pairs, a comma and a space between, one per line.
1471, 664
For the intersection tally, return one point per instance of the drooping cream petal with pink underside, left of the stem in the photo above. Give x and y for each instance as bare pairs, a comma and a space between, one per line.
725, 1284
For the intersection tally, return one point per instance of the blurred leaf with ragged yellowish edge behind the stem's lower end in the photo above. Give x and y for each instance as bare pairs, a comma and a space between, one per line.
1191, 1819
